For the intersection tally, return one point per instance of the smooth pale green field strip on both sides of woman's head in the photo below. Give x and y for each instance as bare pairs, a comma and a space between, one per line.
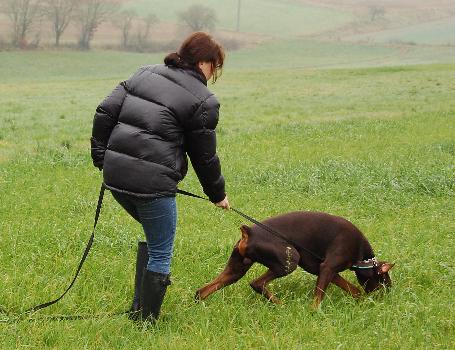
290, 54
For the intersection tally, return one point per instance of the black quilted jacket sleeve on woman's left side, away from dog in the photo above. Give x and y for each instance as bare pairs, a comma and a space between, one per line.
106, 117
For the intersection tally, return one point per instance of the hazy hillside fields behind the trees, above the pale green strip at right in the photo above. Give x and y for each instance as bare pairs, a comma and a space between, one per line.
403, 22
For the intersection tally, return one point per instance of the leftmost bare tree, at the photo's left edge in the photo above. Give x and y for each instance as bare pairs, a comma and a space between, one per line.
23, 14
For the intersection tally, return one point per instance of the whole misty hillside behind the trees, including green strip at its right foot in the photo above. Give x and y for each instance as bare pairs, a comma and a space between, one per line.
297, 33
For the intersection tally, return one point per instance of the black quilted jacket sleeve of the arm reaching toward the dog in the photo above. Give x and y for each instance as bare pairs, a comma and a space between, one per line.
200, 141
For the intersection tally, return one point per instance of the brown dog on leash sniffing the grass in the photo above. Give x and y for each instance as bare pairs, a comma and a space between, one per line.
320, 243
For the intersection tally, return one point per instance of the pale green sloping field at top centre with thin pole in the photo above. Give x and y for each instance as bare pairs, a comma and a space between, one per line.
277, 18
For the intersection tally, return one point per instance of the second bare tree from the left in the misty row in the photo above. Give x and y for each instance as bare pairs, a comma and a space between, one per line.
59, 13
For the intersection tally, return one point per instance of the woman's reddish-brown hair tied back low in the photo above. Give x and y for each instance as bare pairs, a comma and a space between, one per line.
198, 47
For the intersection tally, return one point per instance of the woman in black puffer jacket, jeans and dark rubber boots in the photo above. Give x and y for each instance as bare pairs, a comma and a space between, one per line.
142, 134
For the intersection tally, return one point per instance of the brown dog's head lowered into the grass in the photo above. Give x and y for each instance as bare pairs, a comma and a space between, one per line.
374, 277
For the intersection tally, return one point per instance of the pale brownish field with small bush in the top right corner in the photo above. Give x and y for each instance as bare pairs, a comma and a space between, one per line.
407, 21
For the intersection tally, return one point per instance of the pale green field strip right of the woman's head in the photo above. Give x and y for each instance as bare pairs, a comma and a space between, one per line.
300, 53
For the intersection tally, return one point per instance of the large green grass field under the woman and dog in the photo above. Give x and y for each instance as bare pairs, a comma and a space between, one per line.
376, 145
